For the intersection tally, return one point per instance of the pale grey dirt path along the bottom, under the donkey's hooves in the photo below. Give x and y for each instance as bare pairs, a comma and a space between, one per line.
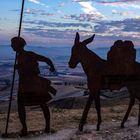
109, 131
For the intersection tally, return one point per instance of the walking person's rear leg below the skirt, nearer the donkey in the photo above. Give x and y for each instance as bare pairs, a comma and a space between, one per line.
46, 113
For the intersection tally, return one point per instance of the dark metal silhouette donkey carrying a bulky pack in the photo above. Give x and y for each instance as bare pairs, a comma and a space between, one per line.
102, 74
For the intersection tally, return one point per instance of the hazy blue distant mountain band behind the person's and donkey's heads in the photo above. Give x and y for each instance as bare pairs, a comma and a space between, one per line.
56, 53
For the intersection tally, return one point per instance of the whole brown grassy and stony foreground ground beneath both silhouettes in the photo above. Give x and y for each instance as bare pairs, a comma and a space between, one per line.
65, 122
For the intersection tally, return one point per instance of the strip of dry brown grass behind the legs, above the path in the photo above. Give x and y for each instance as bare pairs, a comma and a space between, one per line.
65, 118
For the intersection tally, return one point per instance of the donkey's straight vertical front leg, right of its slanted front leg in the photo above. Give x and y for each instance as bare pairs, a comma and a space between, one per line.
98, 109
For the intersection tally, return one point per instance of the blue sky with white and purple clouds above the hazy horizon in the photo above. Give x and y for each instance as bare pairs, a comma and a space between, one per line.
55, 22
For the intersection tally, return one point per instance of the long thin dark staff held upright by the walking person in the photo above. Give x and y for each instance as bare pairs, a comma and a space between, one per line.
14, 72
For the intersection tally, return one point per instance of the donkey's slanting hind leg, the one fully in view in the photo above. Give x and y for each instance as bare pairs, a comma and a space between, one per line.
131, 103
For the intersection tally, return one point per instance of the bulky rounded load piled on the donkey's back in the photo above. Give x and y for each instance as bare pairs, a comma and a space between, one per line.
121, 57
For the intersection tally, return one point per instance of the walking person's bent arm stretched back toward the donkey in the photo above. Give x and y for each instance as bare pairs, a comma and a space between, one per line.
47, 60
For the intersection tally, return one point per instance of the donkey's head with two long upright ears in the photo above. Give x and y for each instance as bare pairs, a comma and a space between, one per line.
78, 50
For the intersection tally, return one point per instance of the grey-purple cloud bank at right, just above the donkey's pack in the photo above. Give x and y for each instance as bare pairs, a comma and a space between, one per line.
125, 28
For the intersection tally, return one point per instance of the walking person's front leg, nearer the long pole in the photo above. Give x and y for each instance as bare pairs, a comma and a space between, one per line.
22, 117
